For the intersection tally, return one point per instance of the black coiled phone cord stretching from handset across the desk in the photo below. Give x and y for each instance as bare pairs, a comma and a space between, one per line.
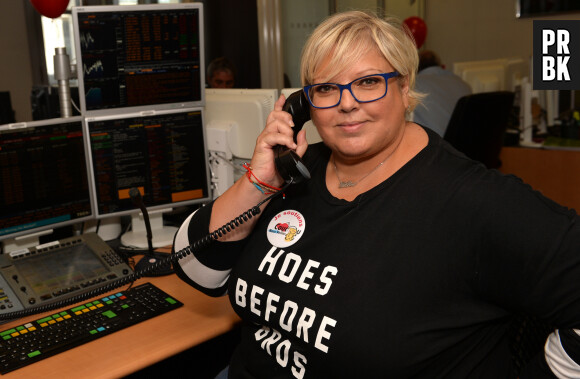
172, 258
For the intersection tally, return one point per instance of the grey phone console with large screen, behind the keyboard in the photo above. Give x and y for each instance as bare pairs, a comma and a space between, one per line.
57, 270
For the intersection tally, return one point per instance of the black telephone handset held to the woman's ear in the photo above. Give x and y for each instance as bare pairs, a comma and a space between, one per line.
288, 163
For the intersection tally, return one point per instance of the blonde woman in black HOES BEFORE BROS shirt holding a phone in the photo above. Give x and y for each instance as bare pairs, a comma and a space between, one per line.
400, 257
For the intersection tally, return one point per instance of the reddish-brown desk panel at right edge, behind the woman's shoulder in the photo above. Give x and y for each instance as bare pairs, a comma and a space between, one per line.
555, 173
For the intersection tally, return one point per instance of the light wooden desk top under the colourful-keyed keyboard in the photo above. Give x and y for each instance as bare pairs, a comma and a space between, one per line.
131, 349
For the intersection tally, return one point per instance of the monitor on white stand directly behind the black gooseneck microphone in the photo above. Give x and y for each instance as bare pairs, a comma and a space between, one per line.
161, 153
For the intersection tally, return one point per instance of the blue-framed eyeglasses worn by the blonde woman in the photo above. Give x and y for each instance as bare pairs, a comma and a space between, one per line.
365, 89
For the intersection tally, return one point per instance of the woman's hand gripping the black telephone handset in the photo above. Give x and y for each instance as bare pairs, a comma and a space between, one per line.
278, 131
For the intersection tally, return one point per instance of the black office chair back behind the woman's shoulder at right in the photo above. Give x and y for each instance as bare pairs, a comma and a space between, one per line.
478, 124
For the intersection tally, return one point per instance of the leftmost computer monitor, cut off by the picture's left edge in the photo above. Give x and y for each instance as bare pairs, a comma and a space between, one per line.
44, 182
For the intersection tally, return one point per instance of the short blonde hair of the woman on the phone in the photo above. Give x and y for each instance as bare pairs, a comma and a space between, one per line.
347, 36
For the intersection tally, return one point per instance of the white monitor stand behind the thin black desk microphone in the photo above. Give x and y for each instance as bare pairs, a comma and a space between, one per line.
137, 237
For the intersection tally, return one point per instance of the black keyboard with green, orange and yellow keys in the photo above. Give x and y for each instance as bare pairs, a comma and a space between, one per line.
48, 336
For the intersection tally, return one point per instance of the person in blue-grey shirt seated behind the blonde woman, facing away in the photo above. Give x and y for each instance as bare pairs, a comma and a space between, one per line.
442, 89
